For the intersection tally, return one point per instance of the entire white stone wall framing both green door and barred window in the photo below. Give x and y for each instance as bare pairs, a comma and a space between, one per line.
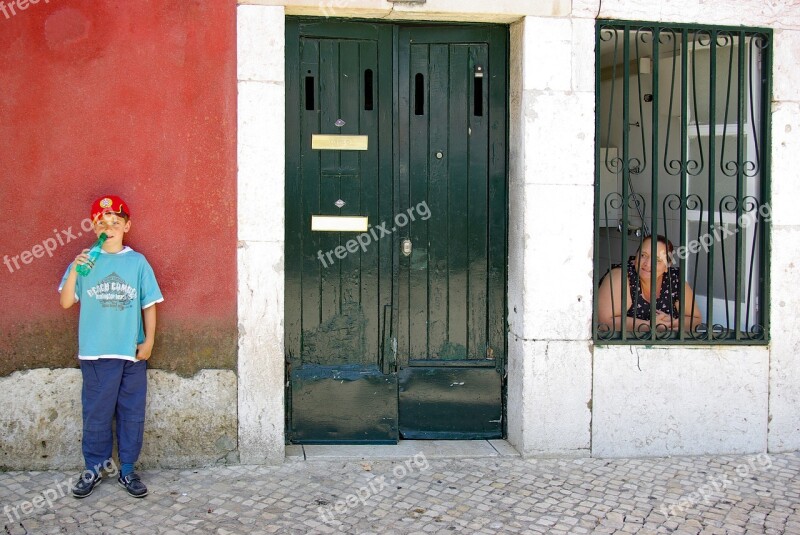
565, 397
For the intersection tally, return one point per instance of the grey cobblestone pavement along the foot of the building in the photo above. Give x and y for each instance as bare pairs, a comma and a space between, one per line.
737, 494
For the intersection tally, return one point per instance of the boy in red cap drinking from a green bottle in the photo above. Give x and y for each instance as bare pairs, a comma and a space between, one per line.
116, 331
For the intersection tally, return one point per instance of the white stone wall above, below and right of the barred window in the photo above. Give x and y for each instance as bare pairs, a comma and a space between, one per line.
716, 383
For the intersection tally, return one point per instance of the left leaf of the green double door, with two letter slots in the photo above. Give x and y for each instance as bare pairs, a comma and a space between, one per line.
340, 389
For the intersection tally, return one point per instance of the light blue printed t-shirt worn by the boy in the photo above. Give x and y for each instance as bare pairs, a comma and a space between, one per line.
112, 297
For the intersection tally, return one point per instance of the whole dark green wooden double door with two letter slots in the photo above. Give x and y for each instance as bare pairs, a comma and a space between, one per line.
394, 327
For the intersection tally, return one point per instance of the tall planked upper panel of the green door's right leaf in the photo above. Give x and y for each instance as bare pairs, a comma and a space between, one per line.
448, 169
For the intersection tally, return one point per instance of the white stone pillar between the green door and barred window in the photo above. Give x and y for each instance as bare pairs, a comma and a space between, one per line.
550, 248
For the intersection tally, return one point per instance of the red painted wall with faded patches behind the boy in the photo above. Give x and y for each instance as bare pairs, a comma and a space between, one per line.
136, 98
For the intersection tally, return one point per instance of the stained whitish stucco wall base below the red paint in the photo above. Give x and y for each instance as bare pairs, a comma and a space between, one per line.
189, 422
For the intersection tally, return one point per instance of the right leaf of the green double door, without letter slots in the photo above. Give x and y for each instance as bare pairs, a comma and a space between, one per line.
451, 325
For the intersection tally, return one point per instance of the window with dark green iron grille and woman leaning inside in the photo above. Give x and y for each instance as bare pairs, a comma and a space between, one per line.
682, 122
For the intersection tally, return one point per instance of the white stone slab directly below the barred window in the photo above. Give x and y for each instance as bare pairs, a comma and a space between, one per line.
679, 401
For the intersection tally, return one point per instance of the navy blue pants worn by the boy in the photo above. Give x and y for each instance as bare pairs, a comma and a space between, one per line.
113, 388
